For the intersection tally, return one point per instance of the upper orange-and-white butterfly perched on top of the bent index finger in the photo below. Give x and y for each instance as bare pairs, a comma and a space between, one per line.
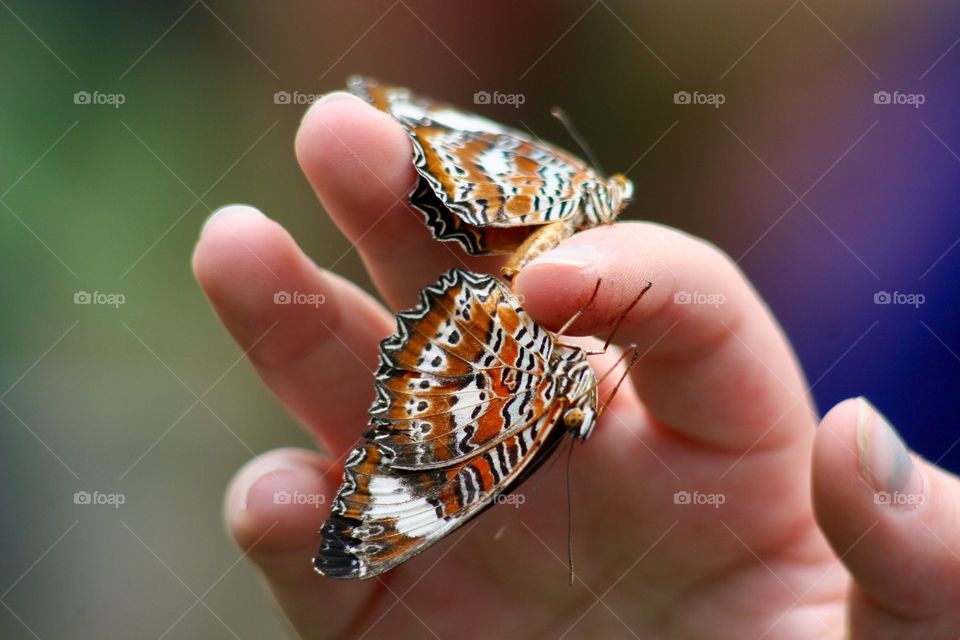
494, 189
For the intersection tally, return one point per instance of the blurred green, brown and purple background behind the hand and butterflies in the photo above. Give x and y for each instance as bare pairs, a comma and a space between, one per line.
825, 195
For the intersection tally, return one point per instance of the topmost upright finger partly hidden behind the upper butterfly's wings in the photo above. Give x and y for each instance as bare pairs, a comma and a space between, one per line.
359, 161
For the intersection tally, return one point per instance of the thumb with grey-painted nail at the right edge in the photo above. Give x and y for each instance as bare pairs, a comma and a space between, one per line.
892, 520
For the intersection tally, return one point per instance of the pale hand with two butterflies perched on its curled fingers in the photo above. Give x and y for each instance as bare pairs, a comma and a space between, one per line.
799, 548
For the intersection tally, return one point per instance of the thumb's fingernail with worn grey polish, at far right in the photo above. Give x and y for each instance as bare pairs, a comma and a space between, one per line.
885, 462
